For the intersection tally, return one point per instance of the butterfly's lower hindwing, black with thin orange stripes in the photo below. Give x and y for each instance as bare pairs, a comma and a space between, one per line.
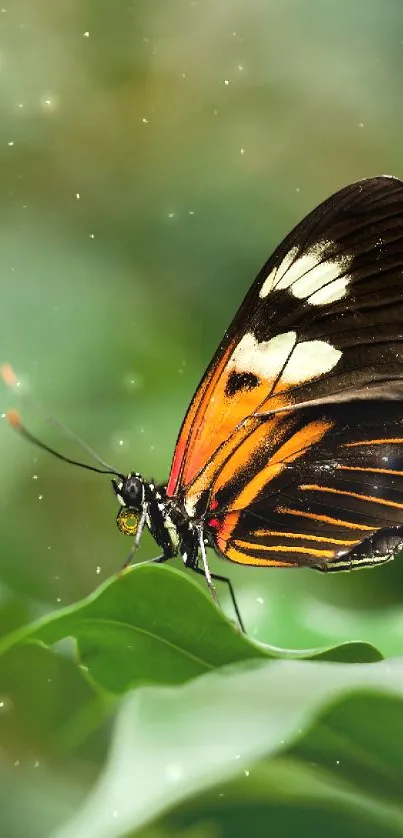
331, 502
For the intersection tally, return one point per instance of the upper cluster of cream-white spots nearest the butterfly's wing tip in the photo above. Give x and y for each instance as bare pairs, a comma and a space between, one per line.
310, 277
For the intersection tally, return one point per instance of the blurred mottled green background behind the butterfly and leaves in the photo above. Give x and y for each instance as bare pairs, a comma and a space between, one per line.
152, 155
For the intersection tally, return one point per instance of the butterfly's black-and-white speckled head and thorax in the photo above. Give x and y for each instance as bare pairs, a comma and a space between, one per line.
144, 503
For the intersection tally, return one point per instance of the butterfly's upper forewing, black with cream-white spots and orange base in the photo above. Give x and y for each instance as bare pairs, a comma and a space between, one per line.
322, 321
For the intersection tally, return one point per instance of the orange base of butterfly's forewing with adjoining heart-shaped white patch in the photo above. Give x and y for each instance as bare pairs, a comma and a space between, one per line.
251, 377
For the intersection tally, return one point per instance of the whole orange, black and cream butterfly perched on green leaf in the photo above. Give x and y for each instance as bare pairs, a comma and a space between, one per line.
291, 451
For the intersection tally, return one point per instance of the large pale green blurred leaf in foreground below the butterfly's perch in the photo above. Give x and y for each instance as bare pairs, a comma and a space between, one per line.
170, 744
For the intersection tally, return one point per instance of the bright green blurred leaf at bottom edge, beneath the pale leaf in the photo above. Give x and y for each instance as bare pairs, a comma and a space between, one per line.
294, 797
